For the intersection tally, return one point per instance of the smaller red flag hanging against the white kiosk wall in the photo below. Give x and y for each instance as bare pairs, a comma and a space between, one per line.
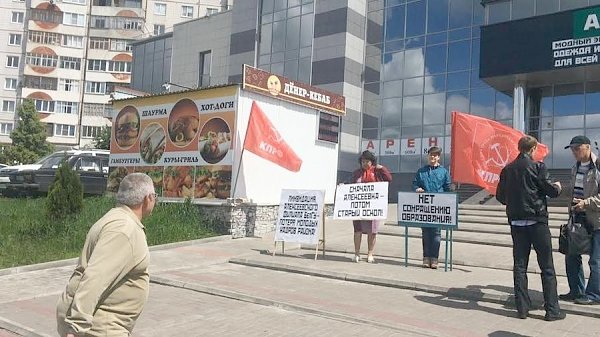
264, 140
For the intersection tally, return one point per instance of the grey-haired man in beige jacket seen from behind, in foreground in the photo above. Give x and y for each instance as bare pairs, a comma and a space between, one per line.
109, 287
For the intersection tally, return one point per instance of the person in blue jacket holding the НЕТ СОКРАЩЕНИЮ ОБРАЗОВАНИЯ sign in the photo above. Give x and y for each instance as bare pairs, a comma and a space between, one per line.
432, 177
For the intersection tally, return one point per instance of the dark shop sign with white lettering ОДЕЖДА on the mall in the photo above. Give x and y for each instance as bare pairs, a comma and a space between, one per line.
558, 41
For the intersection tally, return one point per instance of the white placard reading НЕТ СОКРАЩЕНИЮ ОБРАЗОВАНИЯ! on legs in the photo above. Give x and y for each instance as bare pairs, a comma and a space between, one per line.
428, 208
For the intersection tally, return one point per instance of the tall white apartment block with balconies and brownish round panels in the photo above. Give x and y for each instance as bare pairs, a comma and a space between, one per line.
73, 53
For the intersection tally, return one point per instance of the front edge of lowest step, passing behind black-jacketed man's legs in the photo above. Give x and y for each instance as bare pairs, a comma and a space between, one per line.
457, 293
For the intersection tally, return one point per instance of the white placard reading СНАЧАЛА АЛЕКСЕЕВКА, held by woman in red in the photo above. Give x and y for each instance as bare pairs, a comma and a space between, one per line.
365, 201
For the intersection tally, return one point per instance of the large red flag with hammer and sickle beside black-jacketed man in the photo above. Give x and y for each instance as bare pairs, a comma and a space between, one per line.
481, 148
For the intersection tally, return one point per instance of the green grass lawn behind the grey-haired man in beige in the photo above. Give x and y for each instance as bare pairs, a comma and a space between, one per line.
27, 236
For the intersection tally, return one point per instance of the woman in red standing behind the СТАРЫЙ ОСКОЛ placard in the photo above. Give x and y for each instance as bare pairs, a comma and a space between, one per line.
368, 172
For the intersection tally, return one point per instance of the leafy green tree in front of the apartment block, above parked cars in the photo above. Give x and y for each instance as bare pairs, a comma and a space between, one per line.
29, 137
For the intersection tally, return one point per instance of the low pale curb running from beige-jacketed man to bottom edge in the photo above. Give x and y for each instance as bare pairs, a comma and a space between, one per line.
282, 305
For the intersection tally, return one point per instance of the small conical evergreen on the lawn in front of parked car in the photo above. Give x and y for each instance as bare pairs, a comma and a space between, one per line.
65, 195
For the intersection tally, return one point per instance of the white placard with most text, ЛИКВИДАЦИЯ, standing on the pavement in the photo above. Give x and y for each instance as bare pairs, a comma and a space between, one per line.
299, 217
